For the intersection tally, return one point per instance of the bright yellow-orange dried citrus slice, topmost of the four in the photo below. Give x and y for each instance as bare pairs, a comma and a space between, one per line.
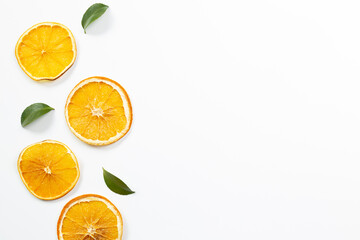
45, 51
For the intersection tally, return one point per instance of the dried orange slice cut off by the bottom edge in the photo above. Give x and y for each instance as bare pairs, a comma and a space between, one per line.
90, 217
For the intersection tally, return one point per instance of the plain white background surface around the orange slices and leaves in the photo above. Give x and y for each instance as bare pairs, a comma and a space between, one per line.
246, 117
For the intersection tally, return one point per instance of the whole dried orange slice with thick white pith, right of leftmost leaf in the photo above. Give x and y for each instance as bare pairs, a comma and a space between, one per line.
98, 111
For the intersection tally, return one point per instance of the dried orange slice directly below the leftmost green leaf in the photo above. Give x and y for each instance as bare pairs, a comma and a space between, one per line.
49, 169
